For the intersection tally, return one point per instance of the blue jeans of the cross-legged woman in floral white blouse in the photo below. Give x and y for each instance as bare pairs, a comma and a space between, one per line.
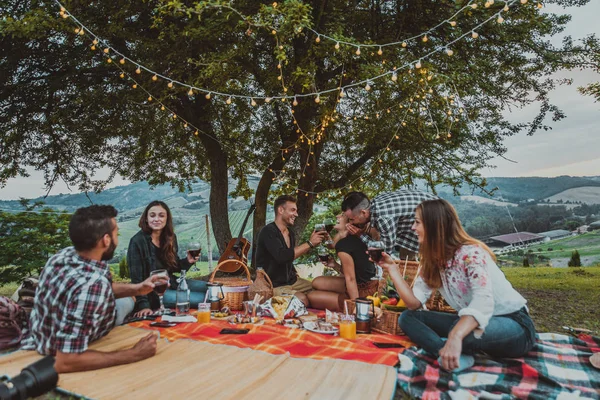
510, 335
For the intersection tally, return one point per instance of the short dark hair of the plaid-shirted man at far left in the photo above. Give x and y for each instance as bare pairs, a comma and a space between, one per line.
90, 224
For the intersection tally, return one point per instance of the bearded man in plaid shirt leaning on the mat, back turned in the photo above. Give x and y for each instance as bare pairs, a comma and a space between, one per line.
75, 303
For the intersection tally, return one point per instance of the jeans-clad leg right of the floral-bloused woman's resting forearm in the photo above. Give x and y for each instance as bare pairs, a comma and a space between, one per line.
503, 337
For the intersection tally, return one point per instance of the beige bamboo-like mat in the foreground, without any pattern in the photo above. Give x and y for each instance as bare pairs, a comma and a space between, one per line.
192, 369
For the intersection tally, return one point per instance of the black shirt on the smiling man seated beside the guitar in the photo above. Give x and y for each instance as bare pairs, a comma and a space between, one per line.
273, 254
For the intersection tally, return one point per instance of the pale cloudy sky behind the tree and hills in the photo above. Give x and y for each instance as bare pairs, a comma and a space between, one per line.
569, 148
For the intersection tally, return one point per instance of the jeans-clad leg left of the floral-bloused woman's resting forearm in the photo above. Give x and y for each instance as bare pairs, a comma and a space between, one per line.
427, 328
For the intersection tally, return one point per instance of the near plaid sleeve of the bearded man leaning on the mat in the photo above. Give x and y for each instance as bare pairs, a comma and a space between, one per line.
79, 325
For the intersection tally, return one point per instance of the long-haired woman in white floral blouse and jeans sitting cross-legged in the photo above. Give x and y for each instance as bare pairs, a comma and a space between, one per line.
492, 316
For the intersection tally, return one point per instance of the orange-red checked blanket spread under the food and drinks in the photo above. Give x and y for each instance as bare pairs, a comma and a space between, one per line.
277, 339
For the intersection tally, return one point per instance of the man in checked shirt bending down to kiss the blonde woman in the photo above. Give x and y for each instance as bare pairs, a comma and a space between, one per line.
389, 217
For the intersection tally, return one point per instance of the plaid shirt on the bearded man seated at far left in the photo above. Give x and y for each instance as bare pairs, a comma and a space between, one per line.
74, 305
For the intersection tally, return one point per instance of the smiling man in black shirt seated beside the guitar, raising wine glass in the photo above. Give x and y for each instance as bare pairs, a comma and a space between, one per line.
276, 250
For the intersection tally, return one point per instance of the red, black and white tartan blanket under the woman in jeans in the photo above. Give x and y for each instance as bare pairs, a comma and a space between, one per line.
558, 367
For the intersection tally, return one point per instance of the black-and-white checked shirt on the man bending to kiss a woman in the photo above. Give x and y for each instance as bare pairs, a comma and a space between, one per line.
393, 214
